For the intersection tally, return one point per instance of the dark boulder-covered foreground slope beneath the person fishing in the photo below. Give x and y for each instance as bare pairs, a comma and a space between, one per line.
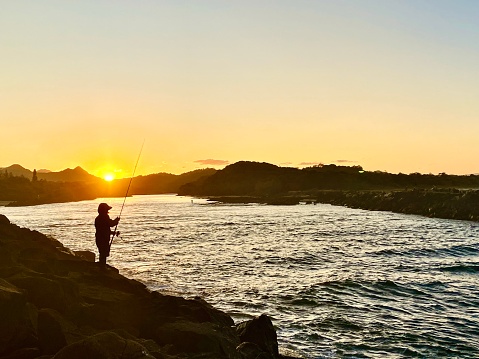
55, 303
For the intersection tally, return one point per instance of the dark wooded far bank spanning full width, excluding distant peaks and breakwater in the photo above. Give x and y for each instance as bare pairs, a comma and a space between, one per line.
243, 178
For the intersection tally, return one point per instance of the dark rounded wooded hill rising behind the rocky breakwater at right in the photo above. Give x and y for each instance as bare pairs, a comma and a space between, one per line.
263, 179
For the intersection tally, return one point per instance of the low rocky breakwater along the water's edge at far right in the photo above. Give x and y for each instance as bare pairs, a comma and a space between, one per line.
436, 203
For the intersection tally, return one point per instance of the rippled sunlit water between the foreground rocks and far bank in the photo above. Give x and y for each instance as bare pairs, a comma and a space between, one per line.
338, 282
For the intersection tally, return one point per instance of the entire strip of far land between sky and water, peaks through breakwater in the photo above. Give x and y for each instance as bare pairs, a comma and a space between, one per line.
439, 195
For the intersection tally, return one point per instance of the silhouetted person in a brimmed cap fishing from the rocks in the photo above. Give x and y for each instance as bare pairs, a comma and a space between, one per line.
103, 223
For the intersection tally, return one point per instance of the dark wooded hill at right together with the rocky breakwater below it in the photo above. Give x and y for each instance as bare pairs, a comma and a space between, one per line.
443, 196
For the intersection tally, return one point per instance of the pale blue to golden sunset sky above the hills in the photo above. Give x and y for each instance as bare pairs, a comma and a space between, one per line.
392, 85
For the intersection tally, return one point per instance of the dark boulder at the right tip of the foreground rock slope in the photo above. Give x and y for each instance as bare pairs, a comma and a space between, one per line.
260, 331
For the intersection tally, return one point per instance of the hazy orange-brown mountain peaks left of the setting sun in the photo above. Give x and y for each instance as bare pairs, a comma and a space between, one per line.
77, 174
